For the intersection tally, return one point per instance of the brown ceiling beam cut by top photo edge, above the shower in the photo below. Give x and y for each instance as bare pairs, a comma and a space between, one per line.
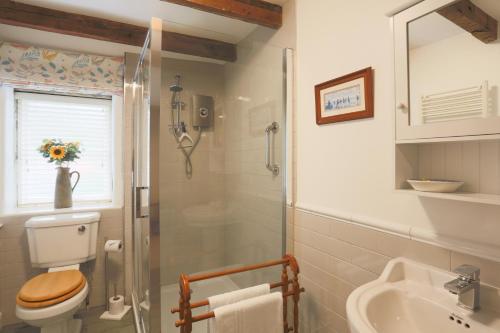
252, 11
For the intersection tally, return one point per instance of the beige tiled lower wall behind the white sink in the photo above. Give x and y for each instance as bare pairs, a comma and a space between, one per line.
336, 256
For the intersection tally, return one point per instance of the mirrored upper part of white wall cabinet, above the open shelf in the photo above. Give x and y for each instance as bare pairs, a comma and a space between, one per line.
447, 69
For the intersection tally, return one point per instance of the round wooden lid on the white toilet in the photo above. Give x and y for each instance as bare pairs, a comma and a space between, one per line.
50, 287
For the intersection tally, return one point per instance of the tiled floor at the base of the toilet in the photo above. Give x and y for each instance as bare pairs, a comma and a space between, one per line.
91, 324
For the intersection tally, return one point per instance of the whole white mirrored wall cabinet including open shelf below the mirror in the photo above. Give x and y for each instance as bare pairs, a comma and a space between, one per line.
447, 58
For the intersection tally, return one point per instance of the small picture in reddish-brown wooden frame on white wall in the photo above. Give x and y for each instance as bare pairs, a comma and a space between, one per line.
345, 98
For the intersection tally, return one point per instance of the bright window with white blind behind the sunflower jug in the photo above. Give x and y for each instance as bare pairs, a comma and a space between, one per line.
87, 120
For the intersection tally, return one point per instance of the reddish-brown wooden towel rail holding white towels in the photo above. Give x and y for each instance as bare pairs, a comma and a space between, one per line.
186, 318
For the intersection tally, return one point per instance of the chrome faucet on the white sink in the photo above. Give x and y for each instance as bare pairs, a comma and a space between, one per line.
466, 286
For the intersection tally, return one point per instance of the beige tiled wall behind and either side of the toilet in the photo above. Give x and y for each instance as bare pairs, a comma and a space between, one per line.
15, 265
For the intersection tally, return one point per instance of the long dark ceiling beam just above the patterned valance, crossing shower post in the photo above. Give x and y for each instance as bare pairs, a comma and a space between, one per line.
23, 15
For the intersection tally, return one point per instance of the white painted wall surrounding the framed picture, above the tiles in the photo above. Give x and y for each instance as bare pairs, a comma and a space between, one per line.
349, 167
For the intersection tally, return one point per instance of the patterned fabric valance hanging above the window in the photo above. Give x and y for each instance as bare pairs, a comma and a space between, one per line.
32, 66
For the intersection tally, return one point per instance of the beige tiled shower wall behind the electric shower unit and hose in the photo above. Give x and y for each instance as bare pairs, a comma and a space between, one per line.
192, 237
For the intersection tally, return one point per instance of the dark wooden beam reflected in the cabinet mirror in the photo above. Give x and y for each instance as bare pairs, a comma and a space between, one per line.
472, 19
